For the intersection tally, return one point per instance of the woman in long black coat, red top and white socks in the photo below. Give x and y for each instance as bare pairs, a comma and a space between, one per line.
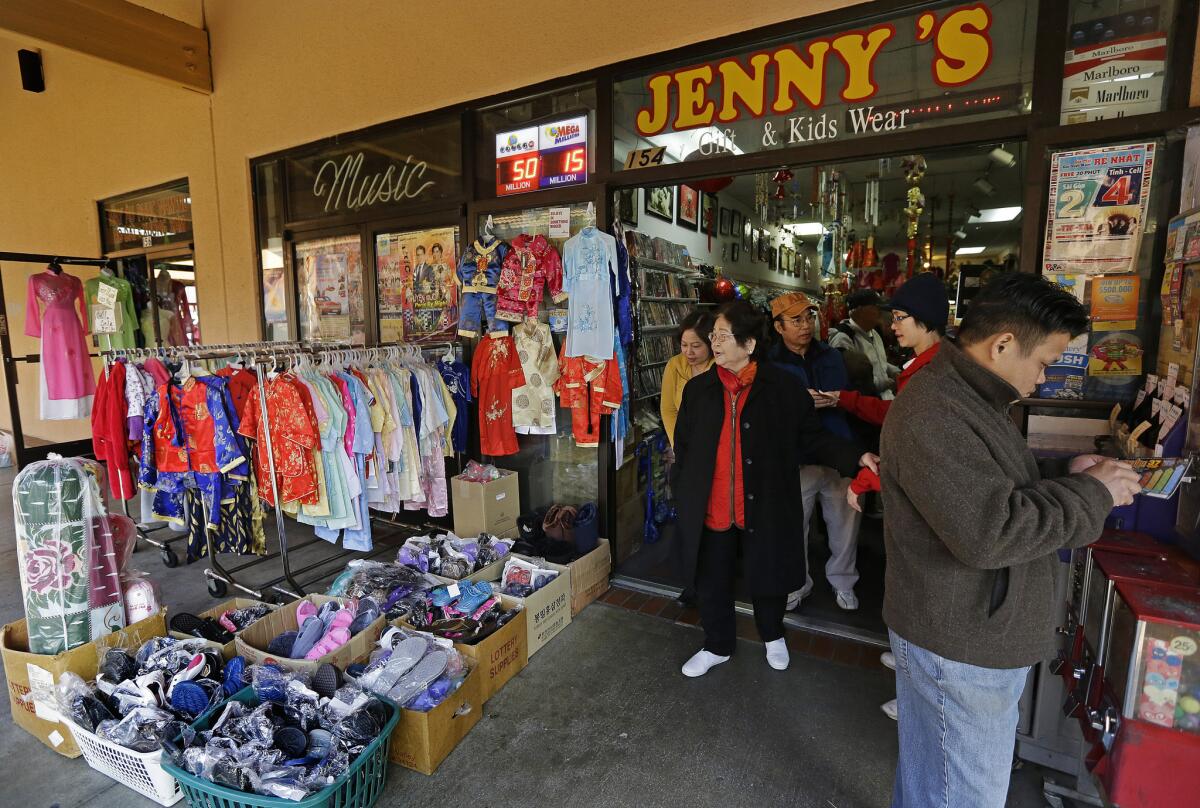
745, 430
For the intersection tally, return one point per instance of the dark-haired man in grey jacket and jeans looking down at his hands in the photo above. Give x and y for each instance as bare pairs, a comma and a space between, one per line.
973, 526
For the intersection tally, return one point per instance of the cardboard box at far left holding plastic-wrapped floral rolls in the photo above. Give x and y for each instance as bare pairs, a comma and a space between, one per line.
32, 677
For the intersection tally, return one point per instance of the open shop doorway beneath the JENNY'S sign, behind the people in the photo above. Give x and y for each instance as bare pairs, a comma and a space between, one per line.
826, 231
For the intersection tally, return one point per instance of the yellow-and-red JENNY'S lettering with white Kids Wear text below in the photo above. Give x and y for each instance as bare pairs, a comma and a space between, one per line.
781, 80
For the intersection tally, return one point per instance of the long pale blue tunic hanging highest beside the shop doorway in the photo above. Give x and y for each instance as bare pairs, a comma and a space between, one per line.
590, 261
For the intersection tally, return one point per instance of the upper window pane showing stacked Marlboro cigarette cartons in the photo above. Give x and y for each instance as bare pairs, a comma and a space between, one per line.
1117, 59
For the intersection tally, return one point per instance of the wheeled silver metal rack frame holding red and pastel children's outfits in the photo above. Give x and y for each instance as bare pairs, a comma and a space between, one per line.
263, 358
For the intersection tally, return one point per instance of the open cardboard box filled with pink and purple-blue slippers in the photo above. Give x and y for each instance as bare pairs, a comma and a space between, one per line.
309, 632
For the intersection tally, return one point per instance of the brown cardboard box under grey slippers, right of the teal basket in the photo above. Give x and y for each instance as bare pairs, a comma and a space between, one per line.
422, 741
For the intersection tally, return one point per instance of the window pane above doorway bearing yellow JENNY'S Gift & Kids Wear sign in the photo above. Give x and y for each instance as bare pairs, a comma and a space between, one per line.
949, 64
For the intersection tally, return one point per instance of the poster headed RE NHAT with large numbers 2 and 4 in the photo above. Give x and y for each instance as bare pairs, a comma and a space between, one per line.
1097, 208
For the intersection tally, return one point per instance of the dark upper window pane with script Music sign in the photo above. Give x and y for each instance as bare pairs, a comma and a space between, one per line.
385, 172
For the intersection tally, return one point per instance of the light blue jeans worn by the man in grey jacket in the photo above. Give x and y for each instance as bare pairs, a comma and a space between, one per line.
958, 727
